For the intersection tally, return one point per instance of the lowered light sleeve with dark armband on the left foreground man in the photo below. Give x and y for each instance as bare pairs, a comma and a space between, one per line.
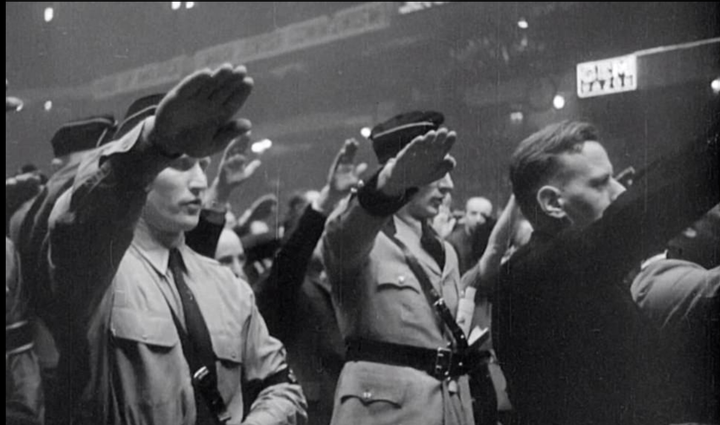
279, 400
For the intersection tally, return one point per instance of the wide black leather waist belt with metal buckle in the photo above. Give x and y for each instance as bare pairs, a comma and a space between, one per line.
441, 363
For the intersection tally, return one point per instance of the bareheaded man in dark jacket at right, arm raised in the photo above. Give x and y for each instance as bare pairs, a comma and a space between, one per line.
573, 345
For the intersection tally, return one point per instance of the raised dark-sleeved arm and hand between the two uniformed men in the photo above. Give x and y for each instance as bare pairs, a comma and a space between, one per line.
295, 299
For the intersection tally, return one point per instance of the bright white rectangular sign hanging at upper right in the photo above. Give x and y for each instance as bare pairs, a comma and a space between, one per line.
607, 76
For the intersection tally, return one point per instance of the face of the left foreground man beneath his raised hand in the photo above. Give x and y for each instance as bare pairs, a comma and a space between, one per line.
175, 199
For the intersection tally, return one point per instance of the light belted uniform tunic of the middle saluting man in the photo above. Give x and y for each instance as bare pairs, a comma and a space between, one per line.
377, 297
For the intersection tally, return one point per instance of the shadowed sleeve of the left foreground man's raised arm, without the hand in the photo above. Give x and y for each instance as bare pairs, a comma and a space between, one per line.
92, 225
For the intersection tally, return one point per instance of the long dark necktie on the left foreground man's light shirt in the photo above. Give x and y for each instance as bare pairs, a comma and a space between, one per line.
197, 345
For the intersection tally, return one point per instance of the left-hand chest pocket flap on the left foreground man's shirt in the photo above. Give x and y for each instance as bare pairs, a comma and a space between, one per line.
144, 327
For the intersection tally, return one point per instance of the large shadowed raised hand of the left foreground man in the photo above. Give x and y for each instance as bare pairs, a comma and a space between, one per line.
196, 117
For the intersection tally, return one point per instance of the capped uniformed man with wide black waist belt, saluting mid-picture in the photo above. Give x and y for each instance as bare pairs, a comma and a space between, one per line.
404, 362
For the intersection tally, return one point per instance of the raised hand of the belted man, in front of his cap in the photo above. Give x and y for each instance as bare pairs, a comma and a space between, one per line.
421, 162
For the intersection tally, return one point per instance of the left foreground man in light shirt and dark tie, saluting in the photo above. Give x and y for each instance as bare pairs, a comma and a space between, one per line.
154, 333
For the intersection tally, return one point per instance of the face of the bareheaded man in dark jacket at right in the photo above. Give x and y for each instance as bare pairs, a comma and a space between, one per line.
586, 183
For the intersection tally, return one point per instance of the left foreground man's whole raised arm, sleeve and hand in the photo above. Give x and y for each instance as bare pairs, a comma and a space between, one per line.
92, 225
